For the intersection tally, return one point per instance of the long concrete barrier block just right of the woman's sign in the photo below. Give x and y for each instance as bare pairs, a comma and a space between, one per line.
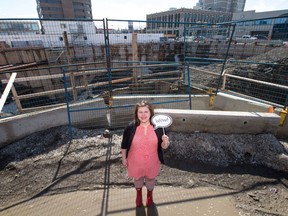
222, 122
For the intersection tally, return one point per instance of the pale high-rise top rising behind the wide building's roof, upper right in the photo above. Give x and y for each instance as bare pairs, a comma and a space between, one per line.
232, 6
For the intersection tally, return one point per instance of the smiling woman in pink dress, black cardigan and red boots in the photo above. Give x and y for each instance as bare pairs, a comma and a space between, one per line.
142, 151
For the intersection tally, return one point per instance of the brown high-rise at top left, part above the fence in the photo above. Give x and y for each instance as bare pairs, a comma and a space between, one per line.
64, 9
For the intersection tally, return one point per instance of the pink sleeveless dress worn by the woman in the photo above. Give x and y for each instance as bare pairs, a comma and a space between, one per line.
143, 157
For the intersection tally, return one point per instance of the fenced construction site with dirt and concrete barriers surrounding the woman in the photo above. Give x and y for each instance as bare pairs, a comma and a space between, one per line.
66, 97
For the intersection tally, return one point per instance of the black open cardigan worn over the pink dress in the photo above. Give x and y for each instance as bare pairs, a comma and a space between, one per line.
128, 136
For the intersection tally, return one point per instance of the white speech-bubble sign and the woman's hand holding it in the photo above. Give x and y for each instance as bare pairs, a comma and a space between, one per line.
162, 121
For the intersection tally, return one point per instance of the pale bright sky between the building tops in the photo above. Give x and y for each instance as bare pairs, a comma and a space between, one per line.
128, 9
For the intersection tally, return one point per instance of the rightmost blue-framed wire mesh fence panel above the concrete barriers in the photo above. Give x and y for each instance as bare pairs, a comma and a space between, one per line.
245, 57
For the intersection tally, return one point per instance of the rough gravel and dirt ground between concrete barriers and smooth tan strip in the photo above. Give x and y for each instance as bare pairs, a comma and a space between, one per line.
253, 167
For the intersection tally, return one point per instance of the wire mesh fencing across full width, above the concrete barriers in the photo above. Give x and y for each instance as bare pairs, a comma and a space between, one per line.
107, 58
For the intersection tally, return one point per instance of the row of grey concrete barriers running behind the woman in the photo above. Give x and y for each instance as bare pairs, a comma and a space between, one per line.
227, 115
